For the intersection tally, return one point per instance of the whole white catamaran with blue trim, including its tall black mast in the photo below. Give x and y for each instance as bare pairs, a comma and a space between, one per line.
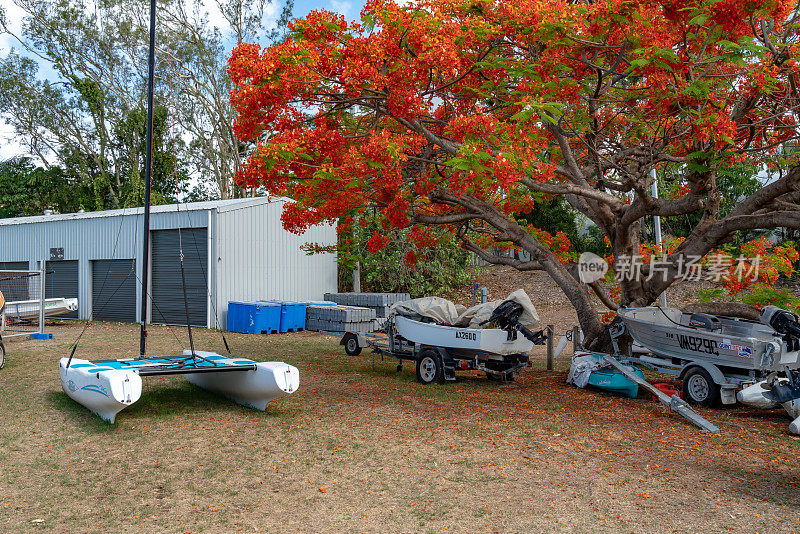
108, 386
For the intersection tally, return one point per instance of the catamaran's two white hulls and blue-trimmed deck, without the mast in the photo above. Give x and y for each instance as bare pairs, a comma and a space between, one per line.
108, 387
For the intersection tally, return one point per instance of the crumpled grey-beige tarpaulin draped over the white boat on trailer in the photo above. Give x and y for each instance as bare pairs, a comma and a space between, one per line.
445, 312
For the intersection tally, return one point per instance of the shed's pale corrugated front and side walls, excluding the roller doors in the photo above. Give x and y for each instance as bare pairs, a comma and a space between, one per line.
251, 256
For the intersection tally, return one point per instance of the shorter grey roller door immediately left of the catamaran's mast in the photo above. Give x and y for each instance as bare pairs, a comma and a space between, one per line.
114, 290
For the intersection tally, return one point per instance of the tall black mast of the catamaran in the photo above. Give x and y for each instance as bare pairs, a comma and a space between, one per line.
151, 60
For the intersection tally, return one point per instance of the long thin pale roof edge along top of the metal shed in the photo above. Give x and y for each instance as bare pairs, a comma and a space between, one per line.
221, 205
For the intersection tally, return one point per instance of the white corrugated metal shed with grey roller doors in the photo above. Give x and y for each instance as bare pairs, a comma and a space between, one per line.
233, 249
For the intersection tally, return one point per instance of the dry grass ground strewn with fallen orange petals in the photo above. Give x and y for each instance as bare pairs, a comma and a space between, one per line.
362, 448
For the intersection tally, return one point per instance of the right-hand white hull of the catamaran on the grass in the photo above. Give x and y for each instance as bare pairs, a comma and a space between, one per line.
254, 389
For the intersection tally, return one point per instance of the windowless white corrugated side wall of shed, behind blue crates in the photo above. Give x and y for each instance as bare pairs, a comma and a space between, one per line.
257, 259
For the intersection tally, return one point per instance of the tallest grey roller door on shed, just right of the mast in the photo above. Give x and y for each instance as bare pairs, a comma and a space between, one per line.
167, 289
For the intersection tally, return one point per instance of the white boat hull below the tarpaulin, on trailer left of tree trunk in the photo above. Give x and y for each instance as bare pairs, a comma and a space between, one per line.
490, 340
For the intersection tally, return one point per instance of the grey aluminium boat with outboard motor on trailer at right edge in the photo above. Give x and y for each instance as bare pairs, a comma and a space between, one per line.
723, 358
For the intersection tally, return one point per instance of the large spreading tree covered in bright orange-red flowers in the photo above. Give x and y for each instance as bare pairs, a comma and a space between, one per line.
463, 113
